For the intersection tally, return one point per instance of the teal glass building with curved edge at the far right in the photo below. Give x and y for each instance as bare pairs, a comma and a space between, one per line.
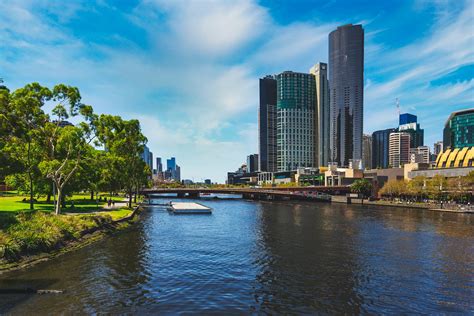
459, 129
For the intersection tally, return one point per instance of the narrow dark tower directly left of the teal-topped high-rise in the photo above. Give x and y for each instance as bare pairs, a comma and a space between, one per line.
267, 126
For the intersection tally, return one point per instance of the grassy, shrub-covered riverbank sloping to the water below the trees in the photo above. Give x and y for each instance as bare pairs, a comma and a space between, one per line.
37, 236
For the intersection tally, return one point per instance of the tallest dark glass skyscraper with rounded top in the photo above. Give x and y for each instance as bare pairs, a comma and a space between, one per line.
346, 84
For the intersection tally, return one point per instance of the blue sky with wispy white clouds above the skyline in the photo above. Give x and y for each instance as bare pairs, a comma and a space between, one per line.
189, 70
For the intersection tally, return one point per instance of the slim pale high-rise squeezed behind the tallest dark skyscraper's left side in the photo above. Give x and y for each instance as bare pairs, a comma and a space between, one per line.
322, 118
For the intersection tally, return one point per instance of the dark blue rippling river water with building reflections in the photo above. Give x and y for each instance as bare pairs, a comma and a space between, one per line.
263, 257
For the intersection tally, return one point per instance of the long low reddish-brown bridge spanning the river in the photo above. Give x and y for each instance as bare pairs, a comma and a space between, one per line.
315, 193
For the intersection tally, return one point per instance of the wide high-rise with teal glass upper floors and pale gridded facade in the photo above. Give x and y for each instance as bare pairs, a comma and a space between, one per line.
296, 101
